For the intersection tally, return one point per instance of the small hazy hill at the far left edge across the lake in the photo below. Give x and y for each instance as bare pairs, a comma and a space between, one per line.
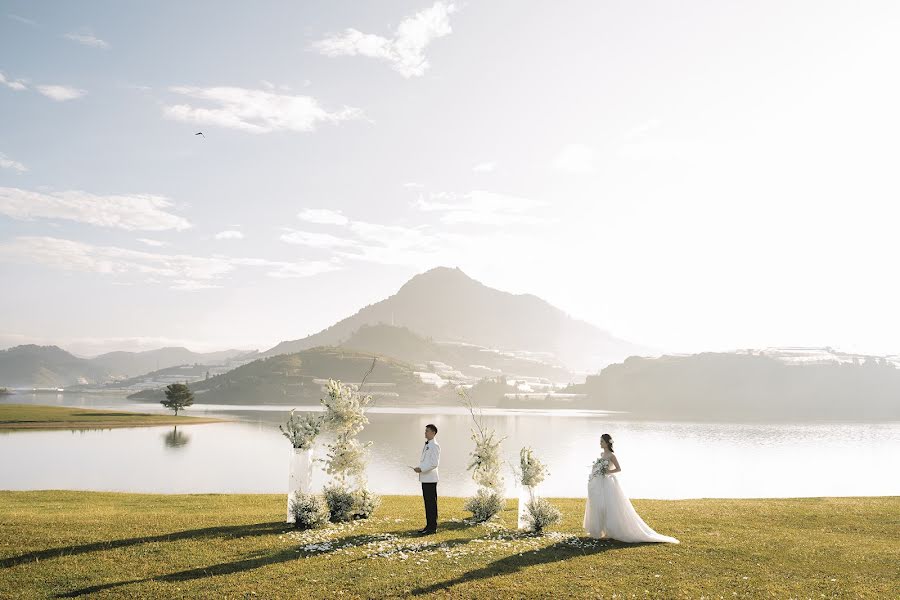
45, 366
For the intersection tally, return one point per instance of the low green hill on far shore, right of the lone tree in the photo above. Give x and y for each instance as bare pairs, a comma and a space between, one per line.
298, 378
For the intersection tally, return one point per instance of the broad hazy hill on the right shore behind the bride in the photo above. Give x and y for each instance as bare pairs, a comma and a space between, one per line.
735, 387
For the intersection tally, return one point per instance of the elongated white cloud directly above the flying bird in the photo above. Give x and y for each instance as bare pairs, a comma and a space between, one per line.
255, 111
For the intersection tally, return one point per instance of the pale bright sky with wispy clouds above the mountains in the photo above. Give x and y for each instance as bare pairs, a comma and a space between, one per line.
692, 176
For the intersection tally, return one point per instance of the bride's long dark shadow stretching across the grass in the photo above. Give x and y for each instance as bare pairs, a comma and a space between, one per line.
516, 562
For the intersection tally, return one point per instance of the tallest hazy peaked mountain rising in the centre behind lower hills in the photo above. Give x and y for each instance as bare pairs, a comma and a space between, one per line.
447, 305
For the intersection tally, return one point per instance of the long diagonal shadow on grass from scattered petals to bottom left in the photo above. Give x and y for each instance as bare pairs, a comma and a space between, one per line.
226, 568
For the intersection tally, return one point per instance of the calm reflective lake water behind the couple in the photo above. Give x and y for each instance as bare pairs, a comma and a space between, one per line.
660, 460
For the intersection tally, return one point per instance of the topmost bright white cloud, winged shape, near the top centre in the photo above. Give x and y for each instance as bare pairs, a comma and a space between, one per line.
405, 51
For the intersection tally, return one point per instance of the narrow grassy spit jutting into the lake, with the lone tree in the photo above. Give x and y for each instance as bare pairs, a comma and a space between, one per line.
31, 416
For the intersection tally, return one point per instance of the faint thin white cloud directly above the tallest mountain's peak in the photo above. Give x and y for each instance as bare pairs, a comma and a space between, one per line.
481, 208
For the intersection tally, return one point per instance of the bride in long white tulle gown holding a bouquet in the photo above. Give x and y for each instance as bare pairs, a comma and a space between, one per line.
608, 512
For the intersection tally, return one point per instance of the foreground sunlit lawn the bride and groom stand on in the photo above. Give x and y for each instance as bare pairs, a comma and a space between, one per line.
65, 544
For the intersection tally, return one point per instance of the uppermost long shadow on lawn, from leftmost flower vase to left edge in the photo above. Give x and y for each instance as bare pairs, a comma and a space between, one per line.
256, 529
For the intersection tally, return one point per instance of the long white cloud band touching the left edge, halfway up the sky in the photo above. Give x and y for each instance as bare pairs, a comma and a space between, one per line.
130, 212
